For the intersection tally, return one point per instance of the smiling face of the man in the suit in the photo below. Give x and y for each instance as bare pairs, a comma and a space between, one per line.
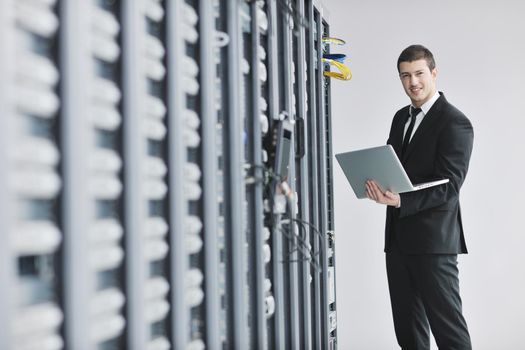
418, 81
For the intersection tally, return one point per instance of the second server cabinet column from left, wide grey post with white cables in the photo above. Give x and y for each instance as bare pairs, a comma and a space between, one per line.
93, 200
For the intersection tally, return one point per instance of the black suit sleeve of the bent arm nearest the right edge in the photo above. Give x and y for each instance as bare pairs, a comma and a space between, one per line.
451, 161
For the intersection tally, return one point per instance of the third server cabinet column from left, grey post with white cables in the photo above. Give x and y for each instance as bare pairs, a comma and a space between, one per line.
146, 155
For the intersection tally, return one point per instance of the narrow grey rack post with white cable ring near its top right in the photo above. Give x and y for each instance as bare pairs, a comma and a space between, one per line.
213, 234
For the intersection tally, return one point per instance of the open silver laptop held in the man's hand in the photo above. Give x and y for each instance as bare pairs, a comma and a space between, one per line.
382, 165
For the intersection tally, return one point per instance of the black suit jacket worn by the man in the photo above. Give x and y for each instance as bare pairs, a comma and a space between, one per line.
429, 220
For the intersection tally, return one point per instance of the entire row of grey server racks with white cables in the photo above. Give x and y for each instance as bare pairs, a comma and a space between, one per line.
140, 200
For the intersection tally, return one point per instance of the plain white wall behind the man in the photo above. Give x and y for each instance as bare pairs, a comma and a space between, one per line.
479, 48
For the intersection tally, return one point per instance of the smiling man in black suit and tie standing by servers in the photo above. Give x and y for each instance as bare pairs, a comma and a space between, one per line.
424, 232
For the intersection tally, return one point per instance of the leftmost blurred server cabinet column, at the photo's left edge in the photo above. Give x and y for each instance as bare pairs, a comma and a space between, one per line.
31, 232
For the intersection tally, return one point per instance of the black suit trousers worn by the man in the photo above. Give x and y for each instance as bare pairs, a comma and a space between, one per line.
424, 291
